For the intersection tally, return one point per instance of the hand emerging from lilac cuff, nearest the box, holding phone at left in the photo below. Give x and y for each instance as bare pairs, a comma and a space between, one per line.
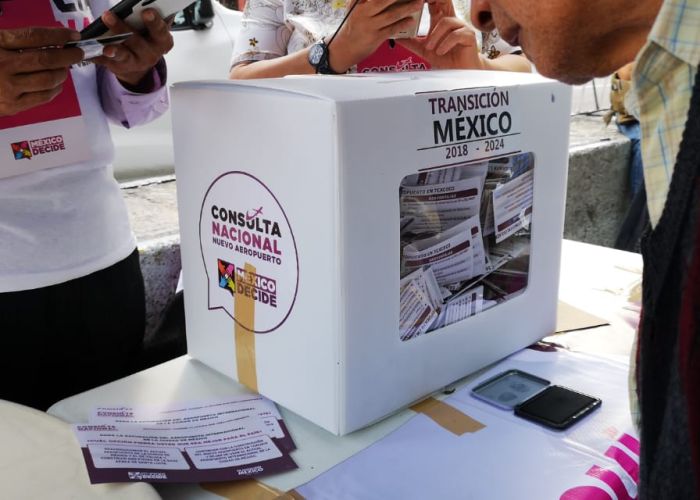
133, 60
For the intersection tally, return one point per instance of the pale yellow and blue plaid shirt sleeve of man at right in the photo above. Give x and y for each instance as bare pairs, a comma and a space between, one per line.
663, 82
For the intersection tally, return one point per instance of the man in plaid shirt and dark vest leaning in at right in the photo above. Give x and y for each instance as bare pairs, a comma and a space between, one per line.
575, 41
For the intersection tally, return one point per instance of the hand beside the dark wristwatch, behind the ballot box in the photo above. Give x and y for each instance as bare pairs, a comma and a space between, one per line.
368, 26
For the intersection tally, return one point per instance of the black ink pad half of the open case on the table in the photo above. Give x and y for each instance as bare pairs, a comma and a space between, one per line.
557, 407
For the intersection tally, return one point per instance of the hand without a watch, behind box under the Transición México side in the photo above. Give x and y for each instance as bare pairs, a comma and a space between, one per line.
450, 44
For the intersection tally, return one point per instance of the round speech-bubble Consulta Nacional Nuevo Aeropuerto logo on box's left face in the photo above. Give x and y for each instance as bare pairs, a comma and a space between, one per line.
249, 252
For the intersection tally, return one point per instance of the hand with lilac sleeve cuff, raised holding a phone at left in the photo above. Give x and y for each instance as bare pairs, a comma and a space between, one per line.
132, 75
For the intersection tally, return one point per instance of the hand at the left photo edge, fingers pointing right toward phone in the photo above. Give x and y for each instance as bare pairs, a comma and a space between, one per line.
29, 74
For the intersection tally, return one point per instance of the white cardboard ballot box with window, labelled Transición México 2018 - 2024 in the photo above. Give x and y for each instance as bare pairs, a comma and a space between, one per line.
351, 244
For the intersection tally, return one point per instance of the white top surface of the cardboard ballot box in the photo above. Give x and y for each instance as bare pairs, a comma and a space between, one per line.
365, 86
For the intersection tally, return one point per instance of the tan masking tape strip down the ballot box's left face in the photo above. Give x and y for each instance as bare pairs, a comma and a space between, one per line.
244, 308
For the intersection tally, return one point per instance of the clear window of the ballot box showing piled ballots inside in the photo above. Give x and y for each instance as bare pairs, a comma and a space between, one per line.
465, 241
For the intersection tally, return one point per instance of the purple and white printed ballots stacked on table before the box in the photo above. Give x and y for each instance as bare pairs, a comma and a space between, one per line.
215, 441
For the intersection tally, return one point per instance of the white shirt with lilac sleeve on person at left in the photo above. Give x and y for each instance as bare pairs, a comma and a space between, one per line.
66, 222
